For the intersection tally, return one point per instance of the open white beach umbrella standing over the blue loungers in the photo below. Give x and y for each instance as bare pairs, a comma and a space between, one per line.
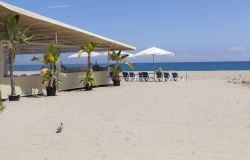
153, 51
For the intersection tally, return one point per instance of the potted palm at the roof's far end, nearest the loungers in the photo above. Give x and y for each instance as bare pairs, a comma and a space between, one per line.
116, 68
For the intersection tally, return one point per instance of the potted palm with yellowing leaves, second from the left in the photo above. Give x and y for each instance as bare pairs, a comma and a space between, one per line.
49, 74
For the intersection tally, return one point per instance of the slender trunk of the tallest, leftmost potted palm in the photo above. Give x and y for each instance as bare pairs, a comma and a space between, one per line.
11, 67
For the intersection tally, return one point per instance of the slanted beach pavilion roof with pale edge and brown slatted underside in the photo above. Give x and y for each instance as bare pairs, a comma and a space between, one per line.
69, 38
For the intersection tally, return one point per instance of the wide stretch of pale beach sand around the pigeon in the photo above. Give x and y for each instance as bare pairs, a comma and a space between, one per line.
195, 120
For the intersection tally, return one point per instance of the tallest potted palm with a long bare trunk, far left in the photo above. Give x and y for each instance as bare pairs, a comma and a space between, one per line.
14, 35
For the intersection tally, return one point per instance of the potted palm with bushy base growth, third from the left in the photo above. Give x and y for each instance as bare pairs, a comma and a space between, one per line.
88, 79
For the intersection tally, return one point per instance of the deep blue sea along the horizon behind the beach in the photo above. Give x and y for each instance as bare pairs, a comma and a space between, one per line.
171, 66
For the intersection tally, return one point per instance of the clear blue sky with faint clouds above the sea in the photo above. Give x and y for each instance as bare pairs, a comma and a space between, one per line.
196, 30
